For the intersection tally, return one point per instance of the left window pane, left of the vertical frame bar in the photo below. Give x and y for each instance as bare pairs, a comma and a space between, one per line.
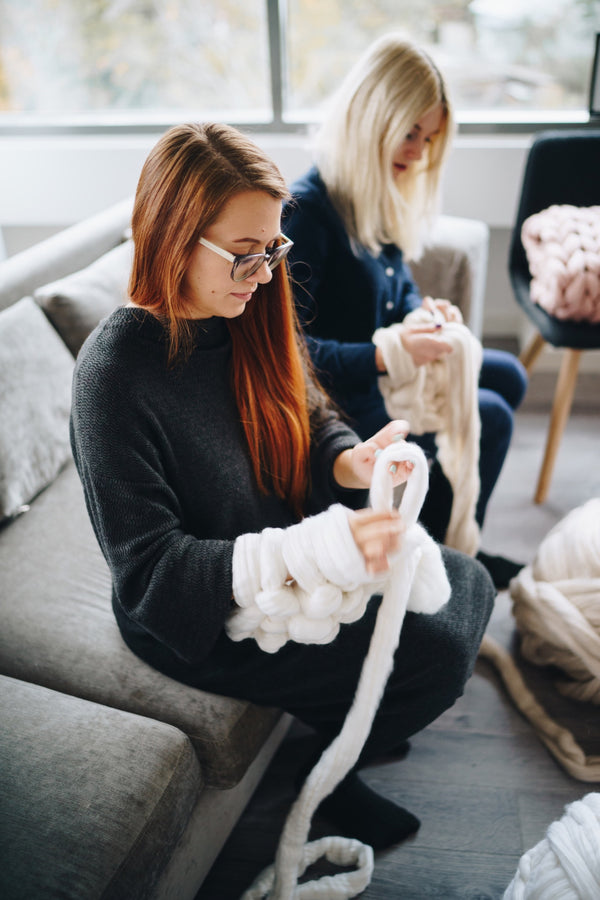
82, 56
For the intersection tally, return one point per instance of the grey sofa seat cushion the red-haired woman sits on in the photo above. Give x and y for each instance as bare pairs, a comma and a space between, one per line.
57, 628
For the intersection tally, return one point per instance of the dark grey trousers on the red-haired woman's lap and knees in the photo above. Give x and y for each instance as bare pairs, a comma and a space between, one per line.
317, 683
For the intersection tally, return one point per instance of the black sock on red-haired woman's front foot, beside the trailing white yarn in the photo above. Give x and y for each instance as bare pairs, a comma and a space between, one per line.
359, 812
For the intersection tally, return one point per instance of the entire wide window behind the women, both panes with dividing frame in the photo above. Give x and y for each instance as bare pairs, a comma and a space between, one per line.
274, 62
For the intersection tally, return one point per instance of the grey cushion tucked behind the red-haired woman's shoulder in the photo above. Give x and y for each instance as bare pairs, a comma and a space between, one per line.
77, 303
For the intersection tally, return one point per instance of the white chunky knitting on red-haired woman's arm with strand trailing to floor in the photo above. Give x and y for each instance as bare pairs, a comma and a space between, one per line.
303, 583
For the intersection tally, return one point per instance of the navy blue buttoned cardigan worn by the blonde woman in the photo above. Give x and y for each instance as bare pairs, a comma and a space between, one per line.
342, 297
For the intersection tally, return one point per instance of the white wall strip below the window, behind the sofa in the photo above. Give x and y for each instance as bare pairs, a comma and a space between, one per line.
46, 181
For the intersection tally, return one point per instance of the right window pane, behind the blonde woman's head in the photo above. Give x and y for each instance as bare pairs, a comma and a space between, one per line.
508, 55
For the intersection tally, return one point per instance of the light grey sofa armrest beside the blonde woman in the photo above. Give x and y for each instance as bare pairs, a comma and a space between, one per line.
453, 266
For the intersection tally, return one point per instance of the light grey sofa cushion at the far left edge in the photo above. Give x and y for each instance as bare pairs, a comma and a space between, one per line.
36, 370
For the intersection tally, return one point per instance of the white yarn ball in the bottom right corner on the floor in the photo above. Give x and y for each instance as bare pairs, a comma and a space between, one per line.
565, 865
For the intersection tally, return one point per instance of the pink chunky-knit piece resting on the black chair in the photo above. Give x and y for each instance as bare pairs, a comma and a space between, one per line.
562, 244
